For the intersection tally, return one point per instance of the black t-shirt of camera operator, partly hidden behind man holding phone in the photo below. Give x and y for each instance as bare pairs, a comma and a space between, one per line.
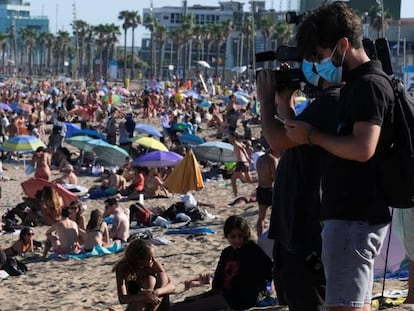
295, 218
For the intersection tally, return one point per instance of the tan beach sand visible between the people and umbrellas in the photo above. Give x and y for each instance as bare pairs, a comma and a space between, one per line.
89, 284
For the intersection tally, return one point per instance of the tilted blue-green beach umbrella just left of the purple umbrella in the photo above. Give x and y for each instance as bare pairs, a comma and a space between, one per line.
107, 153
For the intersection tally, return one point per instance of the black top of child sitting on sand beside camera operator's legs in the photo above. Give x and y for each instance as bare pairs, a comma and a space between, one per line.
241, 274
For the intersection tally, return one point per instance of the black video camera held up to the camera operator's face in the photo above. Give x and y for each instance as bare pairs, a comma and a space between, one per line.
292, 78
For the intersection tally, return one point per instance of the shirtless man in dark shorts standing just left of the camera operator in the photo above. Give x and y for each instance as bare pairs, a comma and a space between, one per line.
266, 166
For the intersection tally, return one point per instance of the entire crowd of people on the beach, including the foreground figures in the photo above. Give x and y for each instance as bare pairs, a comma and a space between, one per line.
315, 169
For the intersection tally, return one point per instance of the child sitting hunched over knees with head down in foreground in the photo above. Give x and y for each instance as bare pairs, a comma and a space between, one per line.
142, 282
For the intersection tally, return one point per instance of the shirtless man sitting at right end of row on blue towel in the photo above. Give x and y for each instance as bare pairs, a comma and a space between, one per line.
120, 223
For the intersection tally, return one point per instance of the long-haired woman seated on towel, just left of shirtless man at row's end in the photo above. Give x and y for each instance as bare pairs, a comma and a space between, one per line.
97, 232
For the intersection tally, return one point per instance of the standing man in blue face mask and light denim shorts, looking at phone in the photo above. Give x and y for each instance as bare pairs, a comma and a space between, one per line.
355, 214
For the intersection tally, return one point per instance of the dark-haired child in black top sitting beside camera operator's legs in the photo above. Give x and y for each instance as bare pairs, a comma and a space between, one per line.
241, 274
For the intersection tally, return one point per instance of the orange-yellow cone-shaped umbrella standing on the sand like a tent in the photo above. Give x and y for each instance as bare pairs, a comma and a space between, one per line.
186, 176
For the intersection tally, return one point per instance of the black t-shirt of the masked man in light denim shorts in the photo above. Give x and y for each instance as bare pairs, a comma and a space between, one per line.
350, 188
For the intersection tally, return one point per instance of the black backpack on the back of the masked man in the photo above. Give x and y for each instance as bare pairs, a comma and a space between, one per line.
396, 165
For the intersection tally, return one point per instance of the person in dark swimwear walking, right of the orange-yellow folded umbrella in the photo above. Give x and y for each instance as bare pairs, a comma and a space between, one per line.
243, 160
